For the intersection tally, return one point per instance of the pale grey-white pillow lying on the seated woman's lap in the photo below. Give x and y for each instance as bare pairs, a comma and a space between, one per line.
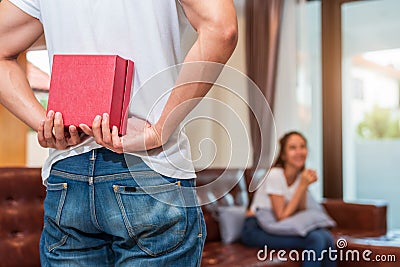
298, 224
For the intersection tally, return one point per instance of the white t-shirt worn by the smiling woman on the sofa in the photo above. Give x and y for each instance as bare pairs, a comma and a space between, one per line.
274, 184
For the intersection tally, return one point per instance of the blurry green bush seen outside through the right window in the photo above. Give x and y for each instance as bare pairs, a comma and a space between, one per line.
378, 124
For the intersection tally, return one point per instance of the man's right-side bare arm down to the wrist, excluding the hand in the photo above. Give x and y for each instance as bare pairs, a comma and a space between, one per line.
216, 25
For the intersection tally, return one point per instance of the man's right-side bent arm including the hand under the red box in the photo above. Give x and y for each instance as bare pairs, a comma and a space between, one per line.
216, 25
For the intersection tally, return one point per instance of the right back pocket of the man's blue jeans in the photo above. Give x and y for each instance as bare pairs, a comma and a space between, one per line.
155, 216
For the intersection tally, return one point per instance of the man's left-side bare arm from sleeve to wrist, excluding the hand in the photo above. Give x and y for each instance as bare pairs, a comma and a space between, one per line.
18, 31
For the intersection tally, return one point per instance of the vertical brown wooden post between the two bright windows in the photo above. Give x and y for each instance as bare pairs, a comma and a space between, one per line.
332, 98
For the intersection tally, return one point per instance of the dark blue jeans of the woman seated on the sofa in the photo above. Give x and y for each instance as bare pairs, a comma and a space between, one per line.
316, 241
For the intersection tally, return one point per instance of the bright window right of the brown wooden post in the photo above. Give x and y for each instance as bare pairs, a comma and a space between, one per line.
370, 107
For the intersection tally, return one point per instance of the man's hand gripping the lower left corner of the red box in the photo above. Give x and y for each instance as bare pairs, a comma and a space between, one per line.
51, 133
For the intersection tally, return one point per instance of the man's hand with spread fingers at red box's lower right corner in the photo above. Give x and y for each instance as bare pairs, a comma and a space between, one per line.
140, 135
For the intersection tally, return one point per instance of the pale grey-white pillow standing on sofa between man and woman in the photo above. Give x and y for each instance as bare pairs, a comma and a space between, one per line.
231, 219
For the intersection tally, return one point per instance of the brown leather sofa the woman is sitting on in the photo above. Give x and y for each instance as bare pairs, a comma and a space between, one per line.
21, 212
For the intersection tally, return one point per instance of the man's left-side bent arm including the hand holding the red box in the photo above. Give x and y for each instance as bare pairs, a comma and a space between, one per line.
18, 31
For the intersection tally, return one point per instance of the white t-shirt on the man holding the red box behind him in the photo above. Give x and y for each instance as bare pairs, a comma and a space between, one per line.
145, 31
